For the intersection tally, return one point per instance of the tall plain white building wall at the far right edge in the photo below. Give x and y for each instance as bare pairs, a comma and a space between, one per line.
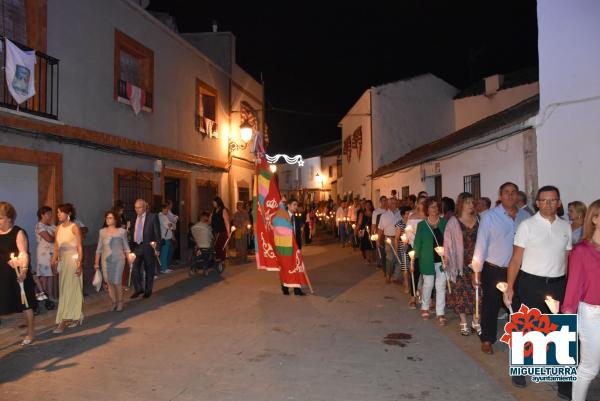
568, 125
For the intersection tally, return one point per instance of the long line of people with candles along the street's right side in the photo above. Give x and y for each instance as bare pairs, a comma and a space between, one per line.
473, 259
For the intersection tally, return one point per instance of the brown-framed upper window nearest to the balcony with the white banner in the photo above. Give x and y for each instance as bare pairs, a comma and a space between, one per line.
134, 67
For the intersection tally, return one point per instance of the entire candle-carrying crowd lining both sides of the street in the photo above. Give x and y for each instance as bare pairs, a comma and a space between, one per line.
464, 256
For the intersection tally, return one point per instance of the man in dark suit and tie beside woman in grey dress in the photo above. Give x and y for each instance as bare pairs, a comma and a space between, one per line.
146, 233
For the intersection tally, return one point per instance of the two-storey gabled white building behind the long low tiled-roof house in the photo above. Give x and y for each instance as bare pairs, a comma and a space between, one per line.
390, 120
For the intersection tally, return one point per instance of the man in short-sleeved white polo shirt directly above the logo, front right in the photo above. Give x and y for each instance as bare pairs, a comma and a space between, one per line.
538, 265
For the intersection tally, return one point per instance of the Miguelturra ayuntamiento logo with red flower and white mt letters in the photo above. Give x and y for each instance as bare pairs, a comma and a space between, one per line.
543, 346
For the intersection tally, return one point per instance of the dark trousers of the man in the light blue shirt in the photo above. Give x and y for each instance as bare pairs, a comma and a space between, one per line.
491, 301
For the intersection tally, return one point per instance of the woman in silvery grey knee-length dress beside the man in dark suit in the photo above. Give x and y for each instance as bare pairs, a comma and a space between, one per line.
113, 250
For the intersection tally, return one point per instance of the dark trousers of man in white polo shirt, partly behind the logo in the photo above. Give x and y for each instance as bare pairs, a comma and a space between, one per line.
531, 291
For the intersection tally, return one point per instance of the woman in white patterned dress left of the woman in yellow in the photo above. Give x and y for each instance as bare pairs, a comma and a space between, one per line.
45, 278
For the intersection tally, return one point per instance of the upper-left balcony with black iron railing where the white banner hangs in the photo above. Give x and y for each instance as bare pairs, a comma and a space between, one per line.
45, 101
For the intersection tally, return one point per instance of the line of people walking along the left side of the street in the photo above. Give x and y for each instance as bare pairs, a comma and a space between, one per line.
128, 253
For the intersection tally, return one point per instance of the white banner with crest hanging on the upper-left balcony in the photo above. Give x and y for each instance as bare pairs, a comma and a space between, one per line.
20, 72
